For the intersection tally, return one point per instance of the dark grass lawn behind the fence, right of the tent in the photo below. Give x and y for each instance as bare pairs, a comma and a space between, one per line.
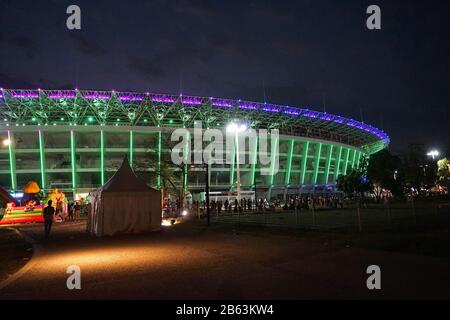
424, 230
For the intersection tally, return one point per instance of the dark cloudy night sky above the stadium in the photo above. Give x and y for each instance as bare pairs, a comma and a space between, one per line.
300, 53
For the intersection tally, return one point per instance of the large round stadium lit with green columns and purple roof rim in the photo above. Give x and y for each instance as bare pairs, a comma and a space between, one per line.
75, 139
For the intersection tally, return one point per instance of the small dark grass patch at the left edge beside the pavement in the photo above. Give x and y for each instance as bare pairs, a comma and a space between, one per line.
15, 252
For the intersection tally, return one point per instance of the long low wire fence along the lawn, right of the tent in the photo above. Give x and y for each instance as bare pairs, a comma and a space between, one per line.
352, 217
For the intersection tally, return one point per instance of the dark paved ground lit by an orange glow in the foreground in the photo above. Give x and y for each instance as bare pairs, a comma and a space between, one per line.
187, 262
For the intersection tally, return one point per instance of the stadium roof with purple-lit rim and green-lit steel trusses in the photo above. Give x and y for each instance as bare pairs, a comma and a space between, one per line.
77, 107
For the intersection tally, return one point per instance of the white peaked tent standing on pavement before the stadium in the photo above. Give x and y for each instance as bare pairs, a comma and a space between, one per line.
125, 204
